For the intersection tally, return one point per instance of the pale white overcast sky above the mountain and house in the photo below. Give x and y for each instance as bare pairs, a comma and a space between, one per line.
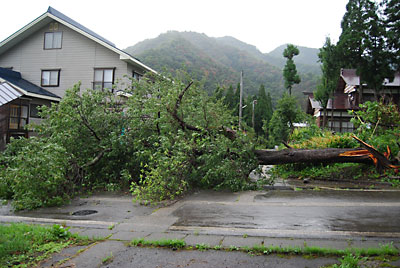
263, 23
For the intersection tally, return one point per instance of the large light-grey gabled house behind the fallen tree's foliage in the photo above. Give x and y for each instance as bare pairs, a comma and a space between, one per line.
43, 59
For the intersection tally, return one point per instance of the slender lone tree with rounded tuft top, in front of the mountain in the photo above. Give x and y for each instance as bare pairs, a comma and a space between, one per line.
289, 71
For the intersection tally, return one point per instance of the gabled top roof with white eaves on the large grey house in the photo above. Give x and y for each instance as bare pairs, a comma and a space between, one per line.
53, 14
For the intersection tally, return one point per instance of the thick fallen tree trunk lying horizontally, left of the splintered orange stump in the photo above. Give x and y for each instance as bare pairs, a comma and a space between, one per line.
329, 155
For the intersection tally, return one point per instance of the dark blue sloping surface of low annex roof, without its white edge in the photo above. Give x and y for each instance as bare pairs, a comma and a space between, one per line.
16, 79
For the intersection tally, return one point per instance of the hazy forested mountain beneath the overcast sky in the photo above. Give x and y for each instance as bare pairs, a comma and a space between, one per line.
218, 62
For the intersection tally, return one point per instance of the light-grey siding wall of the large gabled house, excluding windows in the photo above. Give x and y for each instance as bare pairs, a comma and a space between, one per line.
77, 59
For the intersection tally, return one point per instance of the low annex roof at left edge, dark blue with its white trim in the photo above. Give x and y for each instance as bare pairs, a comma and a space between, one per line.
24, 87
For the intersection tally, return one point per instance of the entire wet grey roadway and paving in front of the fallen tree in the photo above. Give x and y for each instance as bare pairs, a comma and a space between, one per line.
283, 218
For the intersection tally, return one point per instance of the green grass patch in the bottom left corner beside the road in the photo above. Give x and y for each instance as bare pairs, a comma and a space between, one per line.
23, 245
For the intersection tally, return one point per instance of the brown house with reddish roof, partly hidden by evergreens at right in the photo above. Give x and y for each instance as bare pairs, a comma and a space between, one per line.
348, 97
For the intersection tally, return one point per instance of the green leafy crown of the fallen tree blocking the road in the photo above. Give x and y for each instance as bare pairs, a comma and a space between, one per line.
167, 138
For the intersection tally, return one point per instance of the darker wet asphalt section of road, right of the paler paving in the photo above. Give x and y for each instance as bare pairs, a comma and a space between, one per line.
305, 213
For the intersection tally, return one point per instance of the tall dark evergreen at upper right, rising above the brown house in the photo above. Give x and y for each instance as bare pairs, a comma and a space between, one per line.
363, 44
